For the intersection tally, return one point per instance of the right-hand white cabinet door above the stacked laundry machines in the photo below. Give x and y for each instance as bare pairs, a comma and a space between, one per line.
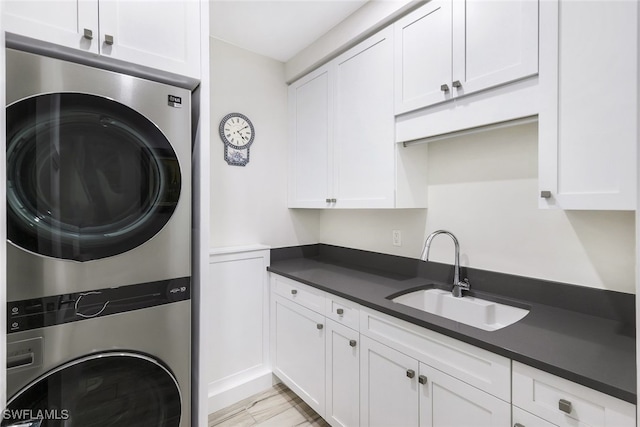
163, 35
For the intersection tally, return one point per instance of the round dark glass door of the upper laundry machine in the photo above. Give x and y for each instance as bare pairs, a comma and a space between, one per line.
87, 177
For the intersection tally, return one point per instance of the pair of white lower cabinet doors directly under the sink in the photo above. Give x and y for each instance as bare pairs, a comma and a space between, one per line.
397, 389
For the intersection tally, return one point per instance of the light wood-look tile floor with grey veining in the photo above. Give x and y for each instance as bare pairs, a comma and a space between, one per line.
276, 407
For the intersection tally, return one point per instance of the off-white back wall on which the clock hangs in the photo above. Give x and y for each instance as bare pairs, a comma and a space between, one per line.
248, 204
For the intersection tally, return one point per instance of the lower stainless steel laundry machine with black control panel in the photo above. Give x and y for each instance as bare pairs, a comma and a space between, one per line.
102, 358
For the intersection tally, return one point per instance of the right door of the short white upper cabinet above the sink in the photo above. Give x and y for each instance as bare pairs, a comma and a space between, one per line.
494, 42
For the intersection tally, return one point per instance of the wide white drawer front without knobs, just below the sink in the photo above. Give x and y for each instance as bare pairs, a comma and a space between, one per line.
480, 368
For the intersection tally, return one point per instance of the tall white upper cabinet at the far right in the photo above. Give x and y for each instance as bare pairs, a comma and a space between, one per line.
588, 129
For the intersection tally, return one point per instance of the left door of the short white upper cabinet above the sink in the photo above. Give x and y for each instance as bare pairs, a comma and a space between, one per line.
423, 49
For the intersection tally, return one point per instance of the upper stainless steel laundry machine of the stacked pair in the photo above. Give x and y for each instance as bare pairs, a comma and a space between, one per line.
98, 178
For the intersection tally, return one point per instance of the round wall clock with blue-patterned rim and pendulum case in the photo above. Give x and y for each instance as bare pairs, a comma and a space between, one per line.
237, 134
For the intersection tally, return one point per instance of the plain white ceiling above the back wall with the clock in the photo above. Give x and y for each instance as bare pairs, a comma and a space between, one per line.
278, 29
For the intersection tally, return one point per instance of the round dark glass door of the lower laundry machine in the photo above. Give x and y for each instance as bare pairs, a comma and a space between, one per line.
119, 389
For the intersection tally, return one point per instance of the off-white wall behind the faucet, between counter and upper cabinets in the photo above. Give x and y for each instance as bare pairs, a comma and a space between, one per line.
483, 188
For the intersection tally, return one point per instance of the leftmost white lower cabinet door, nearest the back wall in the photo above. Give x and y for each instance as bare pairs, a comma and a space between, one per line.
299, 351
